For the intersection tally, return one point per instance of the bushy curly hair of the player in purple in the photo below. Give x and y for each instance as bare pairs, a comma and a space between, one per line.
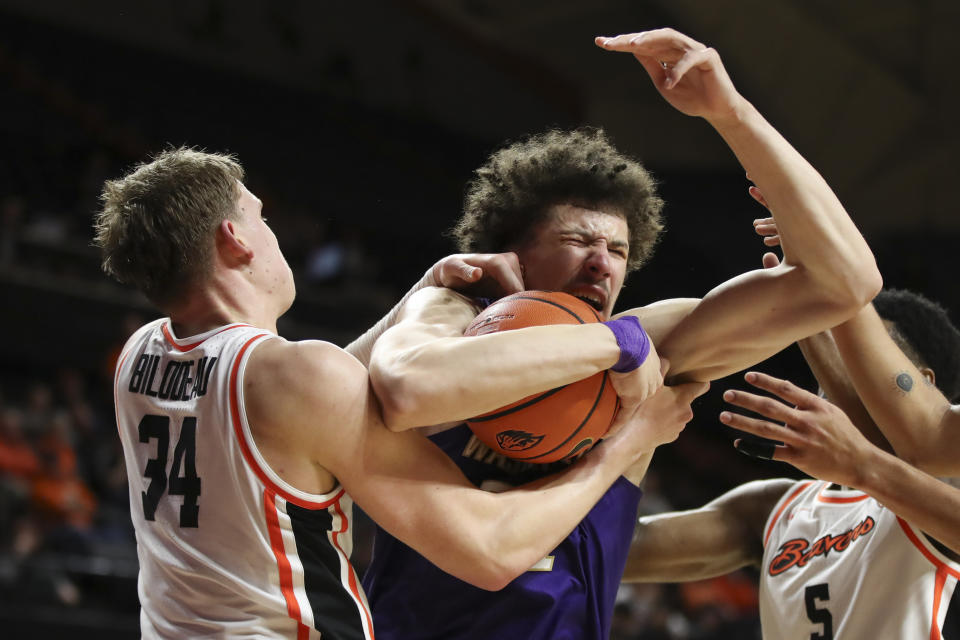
515, 187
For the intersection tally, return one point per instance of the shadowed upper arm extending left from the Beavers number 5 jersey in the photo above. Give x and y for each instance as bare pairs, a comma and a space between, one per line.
719, 537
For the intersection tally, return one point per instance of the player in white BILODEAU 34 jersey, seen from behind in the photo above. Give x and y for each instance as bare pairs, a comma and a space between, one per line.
244, 451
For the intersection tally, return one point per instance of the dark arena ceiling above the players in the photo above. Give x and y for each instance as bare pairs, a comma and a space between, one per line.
866, 90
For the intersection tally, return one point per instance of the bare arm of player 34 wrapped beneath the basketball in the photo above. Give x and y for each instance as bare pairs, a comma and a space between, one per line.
328, 417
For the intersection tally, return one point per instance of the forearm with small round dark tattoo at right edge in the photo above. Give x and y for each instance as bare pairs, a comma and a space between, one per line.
911, 413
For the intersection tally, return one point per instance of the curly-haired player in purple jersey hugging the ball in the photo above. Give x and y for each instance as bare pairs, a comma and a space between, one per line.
578, 215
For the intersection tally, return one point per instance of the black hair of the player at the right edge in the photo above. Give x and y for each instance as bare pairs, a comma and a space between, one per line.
923, 330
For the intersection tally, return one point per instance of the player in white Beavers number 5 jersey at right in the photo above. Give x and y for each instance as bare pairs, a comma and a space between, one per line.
847, 556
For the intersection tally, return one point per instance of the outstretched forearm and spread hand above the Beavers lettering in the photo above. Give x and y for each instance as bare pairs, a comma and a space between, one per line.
820, 440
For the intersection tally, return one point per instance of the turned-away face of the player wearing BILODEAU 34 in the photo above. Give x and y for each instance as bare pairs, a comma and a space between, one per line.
270, 267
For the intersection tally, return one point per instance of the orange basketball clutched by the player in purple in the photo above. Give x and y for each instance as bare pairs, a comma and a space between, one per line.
558, 424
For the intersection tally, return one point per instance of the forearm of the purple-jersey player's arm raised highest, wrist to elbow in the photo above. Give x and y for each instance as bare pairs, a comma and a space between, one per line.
815, 230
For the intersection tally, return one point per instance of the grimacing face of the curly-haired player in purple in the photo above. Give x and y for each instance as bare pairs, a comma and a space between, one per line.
578, 251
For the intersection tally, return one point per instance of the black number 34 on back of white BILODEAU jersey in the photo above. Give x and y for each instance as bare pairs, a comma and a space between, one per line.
184, 460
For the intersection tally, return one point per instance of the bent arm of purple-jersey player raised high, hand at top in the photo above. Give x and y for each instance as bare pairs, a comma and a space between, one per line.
828, 271
